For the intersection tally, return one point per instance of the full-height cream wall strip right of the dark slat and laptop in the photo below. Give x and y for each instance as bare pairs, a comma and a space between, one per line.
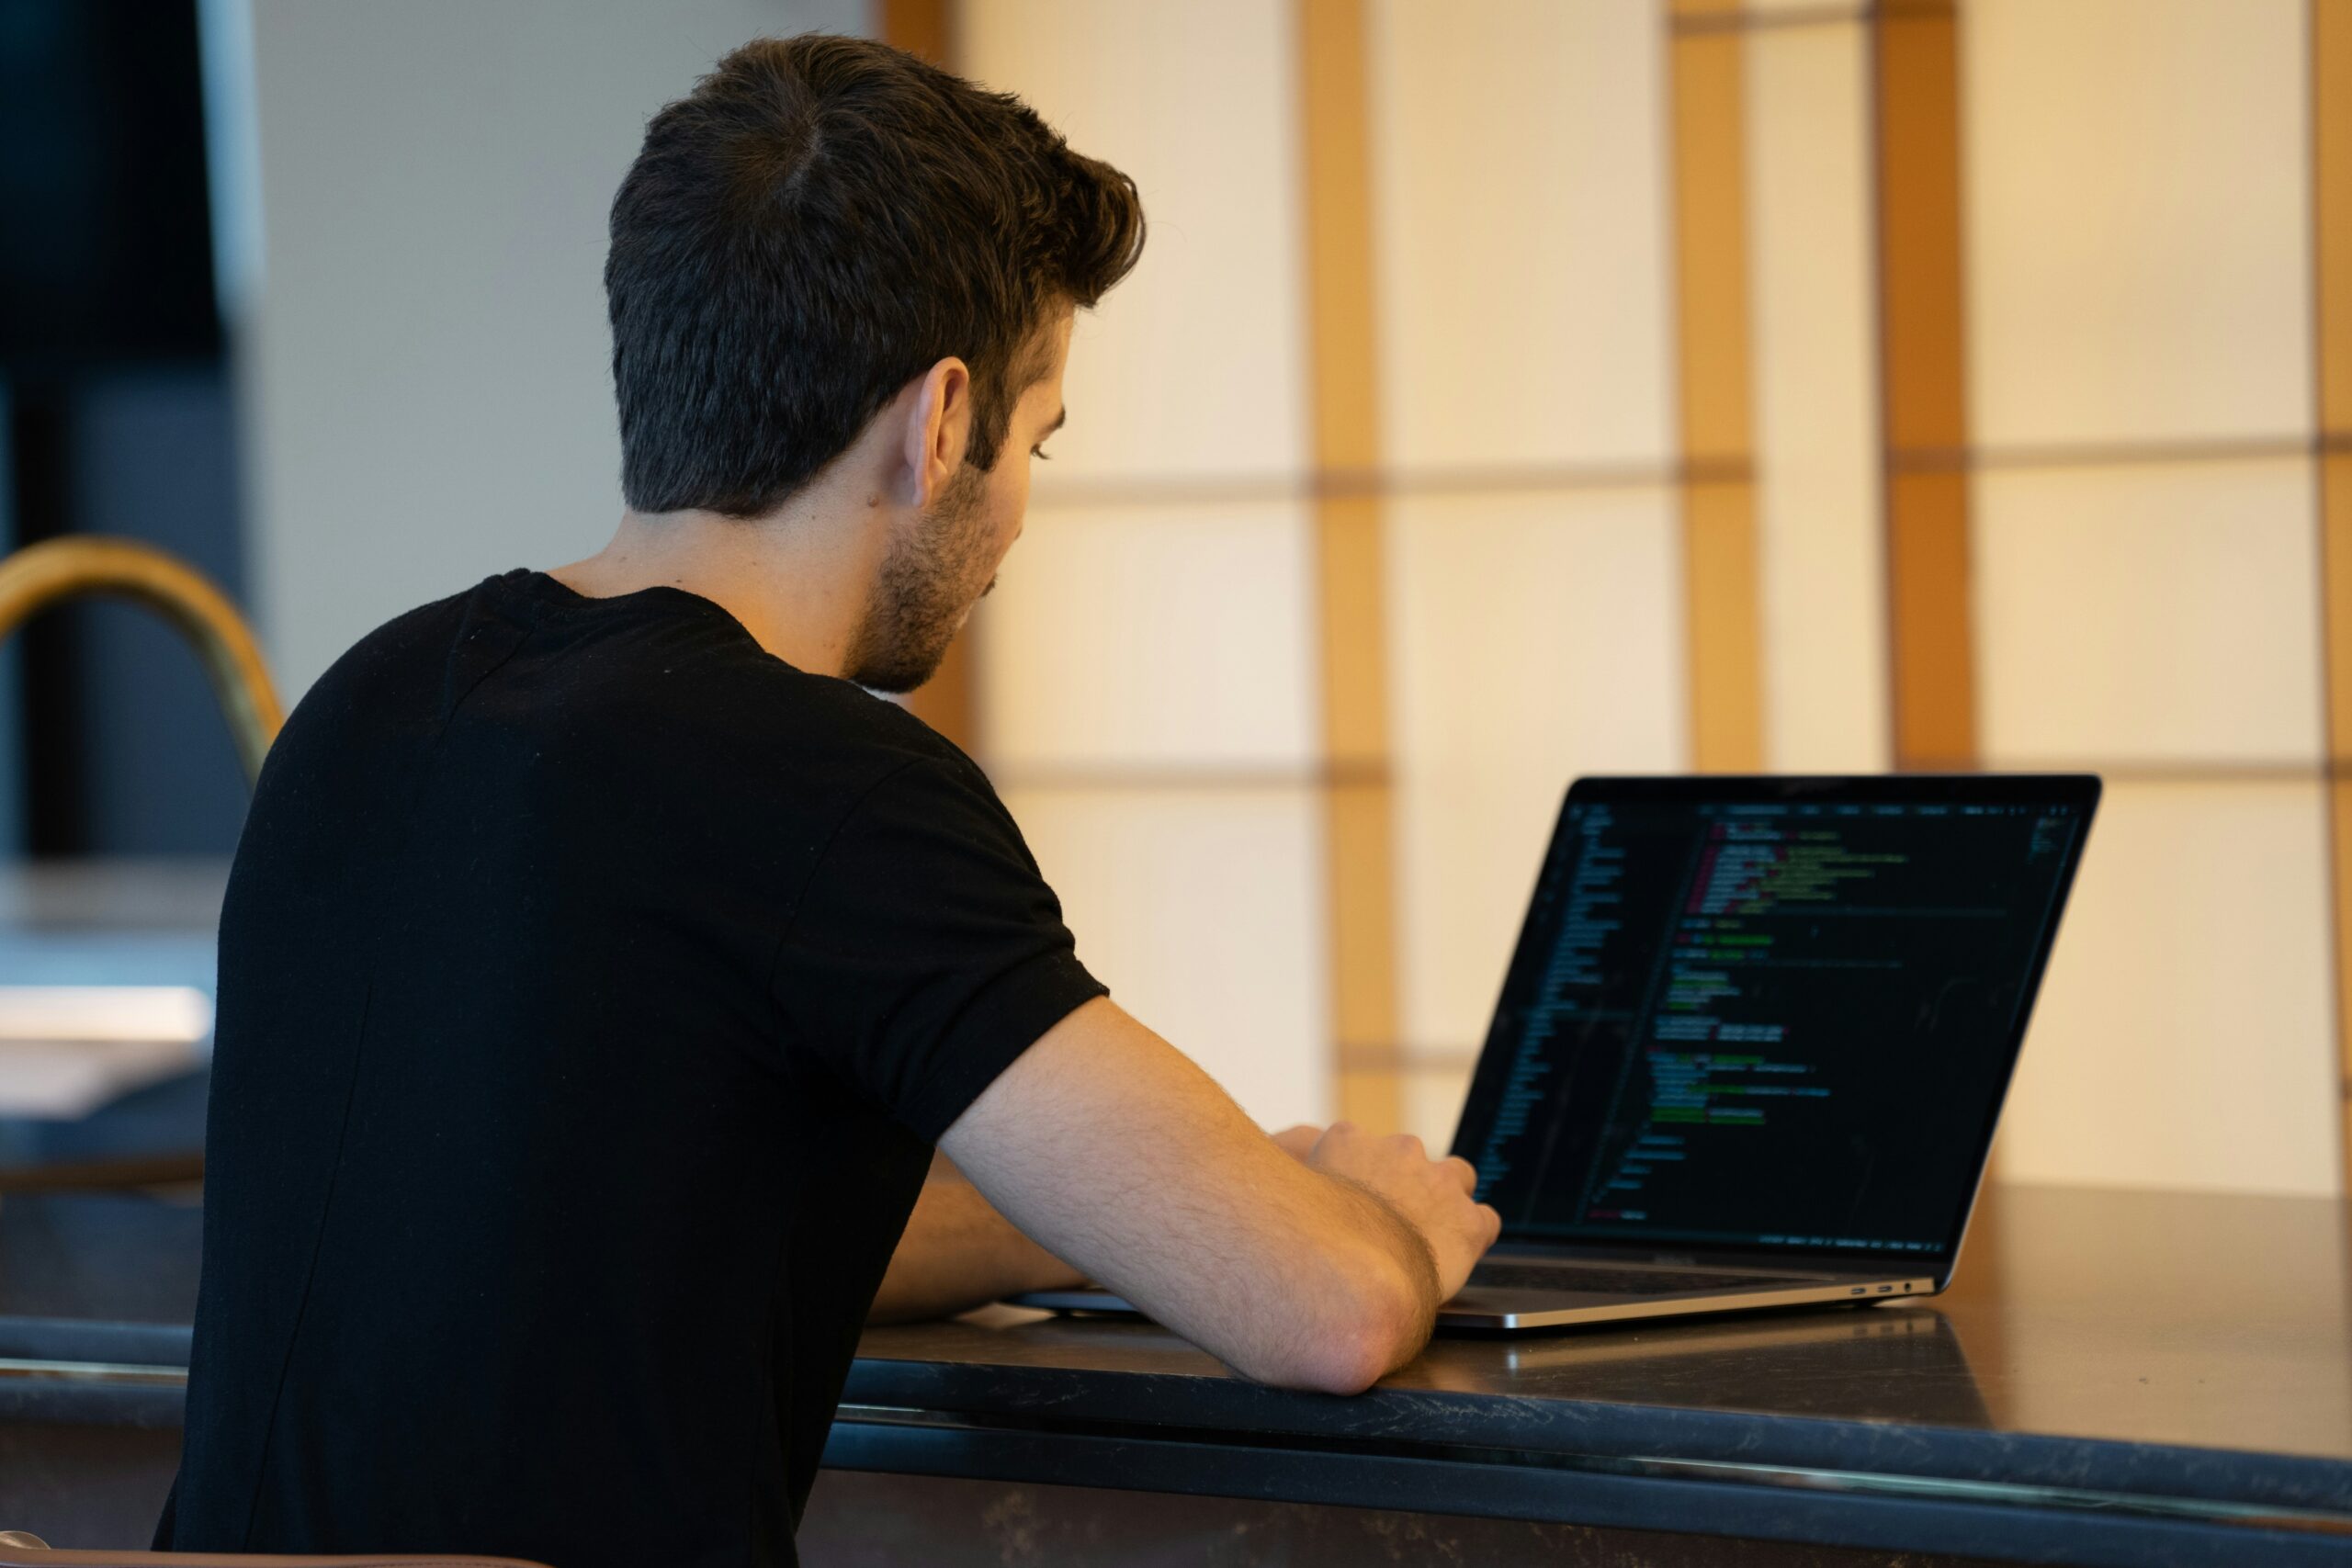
2146, 521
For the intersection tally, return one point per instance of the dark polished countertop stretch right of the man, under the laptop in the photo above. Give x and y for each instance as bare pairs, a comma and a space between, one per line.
2116, 1341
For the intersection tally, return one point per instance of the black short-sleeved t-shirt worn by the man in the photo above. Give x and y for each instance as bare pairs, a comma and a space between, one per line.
594, 989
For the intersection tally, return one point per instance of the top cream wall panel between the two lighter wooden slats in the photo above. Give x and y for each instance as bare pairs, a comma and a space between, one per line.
1523, 234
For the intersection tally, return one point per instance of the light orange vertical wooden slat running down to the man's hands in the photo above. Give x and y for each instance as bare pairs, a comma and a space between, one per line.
1344, 380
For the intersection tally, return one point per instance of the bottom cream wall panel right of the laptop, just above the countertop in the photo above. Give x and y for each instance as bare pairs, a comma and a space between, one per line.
2181, 1036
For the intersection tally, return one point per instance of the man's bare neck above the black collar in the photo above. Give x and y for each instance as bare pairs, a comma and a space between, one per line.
799, 579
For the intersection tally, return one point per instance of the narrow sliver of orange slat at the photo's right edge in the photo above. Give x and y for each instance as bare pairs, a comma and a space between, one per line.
2332, 302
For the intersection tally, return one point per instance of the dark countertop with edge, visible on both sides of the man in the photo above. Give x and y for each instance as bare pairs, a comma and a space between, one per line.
2132, 1351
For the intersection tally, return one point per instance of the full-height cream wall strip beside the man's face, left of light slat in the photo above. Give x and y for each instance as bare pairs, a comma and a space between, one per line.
1147, 685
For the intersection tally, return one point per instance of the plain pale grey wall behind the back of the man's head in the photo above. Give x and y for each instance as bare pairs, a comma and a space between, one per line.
427, 377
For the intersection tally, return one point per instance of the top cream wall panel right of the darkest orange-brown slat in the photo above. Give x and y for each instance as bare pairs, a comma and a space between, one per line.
2139, 220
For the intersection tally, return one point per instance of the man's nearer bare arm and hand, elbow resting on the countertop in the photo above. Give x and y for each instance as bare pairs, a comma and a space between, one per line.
1125, 1160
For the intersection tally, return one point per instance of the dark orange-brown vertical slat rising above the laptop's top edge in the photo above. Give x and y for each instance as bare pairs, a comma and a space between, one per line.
1923, 382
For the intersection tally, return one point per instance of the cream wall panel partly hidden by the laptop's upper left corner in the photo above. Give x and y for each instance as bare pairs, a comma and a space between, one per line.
1532, 638
